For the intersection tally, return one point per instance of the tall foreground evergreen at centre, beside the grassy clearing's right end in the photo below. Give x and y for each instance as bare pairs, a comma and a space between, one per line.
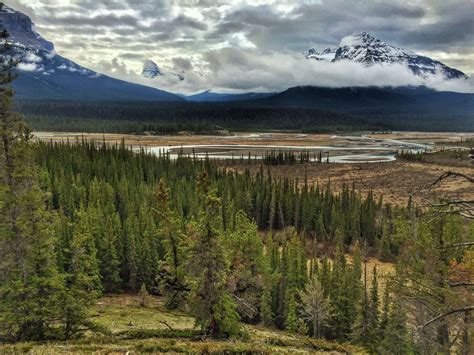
212, 306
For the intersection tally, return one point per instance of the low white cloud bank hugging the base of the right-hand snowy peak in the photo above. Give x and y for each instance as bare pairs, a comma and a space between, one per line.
243, 70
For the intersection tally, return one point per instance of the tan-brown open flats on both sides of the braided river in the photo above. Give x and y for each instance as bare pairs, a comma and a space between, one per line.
394, 180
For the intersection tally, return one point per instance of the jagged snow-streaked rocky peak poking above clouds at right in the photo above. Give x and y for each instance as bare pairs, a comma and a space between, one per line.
365, 48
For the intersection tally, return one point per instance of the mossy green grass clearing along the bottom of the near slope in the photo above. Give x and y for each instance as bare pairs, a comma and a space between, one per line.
136, 330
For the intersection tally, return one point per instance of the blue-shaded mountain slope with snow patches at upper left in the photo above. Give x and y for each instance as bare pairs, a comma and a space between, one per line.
45, 74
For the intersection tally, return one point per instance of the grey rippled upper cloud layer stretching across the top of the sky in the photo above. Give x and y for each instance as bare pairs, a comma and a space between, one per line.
421, 24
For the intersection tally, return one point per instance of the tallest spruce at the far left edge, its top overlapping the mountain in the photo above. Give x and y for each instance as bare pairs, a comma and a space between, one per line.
30, 284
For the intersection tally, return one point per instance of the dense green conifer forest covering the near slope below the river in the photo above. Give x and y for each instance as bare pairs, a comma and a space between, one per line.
82, 220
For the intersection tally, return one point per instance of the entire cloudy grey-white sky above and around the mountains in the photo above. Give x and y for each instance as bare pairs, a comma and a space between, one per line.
249, 45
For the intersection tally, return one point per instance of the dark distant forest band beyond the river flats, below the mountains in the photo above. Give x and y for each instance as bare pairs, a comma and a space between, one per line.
171, 118
